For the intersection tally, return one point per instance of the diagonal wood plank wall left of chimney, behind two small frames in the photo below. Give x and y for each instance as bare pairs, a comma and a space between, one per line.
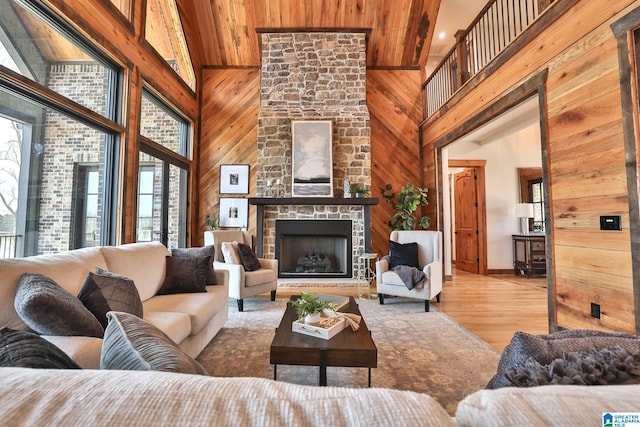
229, 134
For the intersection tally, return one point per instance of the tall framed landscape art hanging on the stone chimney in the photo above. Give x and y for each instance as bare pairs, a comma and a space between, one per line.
312, 161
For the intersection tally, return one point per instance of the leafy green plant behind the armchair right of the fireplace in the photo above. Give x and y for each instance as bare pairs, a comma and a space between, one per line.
406, 203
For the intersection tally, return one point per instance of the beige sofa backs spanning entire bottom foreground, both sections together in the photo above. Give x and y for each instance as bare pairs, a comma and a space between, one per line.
148, 398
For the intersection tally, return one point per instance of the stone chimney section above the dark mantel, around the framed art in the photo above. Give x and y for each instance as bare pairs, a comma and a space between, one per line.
313, 76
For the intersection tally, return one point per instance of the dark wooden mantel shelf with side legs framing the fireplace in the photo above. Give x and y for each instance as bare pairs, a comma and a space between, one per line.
261, 202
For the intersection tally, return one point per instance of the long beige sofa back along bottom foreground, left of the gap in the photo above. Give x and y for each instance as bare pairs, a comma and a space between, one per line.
136, 398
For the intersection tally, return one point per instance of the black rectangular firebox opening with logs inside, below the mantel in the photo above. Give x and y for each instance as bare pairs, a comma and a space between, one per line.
314, 248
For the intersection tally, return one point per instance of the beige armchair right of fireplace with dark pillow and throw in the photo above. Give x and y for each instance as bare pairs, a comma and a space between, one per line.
429, 245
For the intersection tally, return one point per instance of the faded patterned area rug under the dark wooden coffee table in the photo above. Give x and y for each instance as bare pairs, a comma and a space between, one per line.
418, 351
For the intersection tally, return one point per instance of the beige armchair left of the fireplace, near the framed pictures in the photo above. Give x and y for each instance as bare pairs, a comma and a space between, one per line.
242, 283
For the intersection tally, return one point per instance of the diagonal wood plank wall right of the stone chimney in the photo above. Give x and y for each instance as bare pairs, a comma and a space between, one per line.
395, 102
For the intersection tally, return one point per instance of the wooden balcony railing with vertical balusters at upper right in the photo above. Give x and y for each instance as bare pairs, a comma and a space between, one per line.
497, 25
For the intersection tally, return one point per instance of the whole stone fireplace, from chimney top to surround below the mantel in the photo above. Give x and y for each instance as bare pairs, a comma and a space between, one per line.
313, 76
